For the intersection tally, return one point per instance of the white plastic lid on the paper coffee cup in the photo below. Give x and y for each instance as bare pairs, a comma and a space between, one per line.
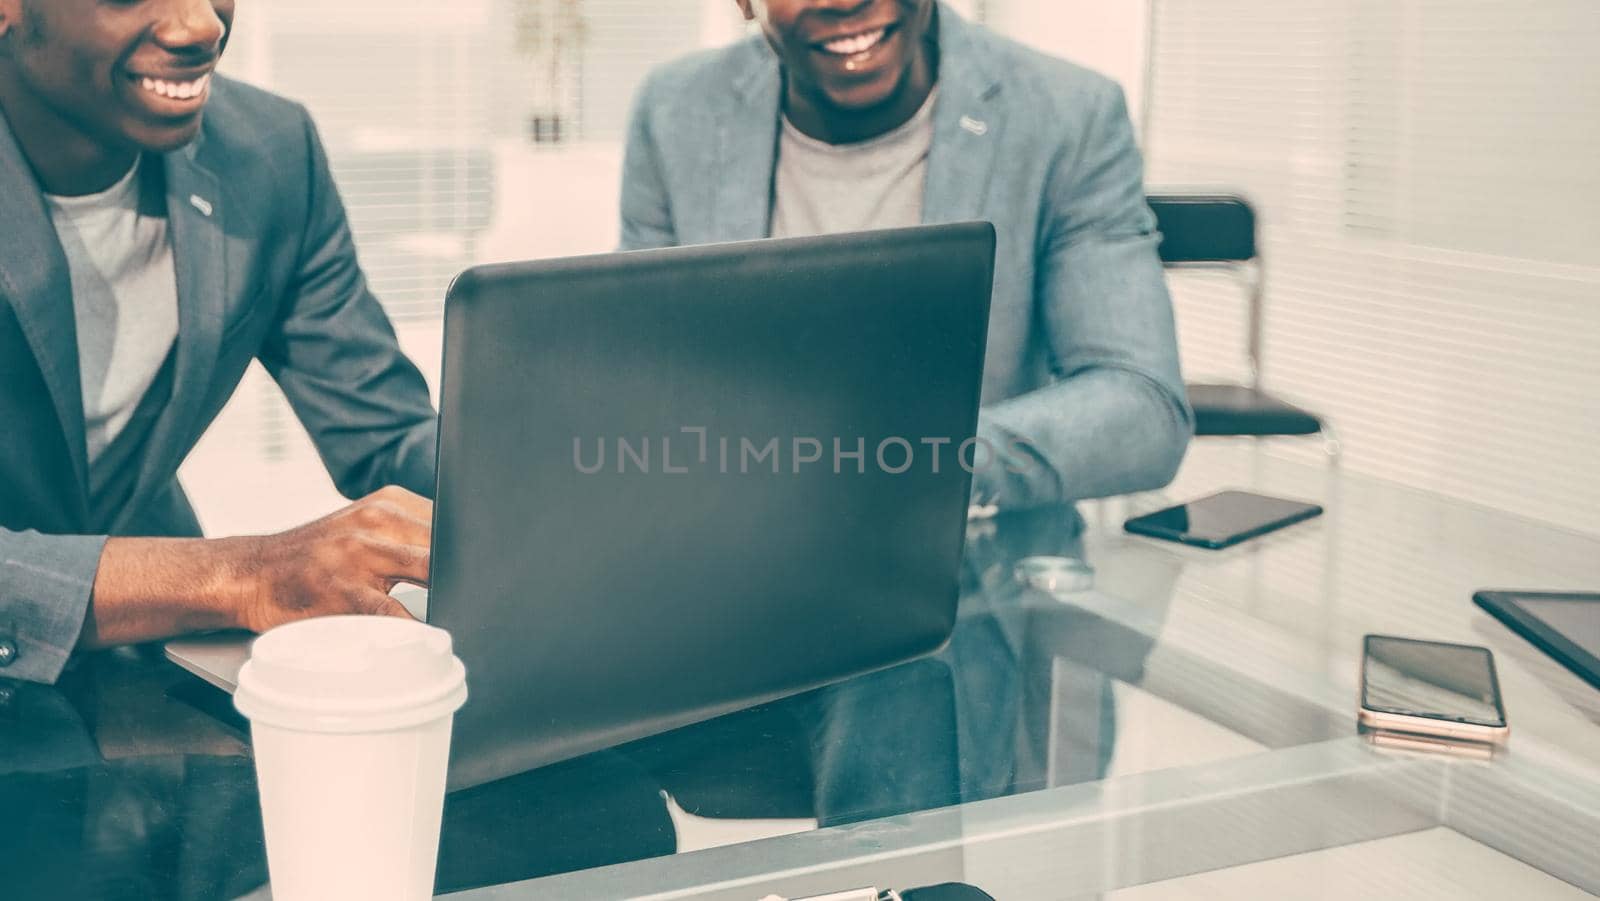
351, 675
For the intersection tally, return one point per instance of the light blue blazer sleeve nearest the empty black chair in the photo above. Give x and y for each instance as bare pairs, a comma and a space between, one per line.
1116, 420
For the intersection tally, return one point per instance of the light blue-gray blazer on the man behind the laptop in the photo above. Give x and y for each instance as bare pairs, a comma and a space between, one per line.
1082, 353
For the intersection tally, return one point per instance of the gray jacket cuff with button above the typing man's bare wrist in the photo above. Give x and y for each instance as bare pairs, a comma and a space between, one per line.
46, 583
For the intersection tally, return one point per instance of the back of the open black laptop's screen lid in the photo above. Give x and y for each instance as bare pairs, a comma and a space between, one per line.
681, 483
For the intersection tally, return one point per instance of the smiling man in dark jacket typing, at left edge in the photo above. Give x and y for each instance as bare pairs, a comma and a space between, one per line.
162, 228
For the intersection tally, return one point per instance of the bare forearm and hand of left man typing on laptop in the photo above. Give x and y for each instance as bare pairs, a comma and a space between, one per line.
346, 563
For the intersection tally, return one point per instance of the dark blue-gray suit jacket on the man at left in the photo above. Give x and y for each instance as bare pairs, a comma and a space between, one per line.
266, 270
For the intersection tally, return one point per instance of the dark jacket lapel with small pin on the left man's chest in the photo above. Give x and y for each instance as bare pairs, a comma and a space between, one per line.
196, 218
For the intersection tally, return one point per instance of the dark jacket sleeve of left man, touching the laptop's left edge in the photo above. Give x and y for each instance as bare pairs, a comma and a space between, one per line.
337, 359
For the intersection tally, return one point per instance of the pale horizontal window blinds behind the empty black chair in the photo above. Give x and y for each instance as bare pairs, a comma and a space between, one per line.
1430, 204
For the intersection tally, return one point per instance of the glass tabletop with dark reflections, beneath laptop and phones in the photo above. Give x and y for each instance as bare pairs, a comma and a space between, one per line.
1178, 726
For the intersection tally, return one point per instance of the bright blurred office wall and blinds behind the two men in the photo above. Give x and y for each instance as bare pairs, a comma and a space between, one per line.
1425, 174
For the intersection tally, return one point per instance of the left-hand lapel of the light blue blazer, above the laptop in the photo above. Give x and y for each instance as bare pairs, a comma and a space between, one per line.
748, 148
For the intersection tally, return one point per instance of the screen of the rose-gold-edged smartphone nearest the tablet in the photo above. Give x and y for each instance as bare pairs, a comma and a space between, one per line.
1431, 679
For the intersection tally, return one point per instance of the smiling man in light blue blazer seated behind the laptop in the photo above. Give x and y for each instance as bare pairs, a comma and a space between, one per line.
862, 114
